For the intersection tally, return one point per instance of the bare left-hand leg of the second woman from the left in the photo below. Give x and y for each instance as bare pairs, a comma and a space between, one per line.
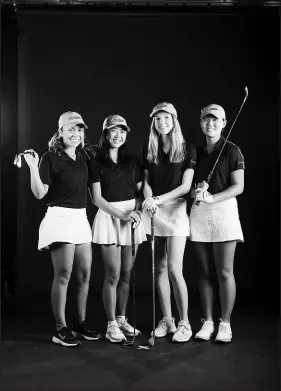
111, 255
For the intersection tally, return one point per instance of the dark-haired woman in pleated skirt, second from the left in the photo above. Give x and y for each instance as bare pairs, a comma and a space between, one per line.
116, 180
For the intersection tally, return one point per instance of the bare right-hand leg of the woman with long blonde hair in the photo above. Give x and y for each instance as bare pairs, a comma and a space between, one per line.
175, 252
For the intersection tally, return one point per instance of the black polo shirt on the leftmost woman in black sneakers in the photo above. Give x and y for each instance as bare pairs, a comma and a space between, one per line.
67, 179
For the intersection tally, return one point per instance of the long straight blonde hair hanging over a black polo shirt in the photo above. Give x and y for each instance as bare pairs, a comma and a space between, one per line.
177, 143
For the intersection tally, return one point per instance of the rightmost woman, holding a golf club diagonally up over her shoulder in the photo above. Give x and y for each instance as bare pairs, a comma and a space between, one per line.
215, 224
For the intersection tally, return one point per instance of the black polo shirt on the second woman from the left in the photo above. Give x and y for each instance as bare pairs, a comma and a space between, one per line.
118, 181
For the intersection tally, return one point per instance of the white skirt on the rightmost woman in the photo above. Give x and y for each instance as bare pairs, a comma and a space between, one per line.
218, 222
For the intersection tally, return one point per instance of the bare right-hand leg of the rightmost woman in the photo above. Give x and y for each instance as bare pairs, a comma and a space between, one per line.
224, 259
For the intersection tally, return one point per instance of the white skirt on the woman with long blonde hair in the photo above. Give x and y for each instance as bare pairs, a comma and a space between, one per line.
170, 220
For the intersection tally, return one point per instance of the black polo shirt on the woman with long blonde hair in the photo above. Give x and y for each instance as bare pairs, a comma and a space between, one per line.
166, 176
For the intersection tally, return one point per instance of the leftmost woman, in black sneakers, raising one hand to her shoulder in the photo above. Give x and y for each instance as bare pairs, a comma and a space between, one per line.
62, 177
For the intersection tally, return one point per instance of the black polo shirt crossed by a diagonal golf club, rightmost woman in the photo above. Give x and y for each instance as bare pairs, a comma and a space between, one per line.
230, 160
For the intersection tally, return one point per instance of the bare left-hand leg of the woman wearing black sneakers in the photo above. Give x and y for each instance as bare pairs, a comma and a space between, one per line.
62, 258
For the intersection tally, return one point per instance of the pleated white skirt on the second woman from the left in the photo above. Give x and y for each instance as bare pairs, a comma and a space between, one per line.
108, 229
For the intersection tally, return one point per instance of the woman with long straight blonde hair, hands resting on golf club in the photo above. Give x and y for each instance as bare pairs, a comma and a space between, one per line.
169, 164
